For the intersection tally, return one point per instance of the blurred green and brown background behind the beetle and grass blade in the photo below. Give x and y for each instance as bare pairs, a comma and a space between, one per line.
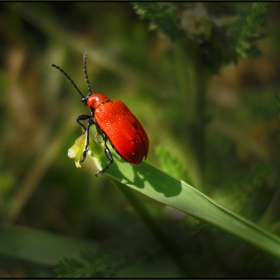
40, 186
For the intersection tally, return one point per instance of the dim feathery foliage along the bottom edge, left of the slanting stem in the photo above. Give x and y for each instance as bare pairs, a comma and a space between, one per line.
113, 257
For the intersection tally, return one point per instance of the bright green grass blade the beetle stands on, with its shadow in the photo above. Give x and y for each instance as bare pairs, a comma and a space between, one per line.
162, 187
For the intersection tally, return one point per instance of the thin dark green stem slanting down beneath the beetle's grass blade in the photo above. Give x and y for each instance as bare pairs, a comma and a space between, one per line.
144, 214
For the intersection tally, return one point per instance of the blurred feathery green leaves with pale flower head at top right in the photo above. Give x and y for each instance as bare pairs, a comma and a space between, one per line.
222, 35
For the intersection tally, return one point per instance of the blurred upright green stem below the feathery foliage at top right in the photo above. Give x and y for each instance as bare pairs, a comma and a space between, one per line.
192, 79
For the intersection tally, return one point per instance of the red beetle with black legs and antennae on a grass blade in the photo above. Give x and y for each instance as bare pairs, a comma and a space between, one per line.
115, 123
